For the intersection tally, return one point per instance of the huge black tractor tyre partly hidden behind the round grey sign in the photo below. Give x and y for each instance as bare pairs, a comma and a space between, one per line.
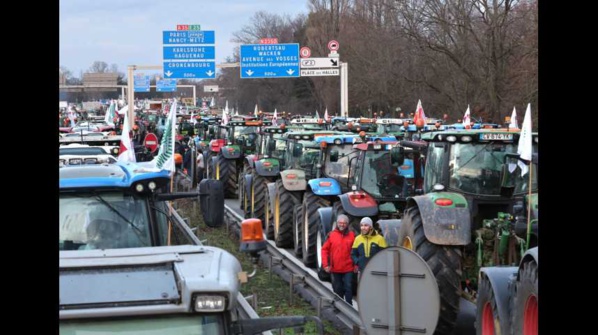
443, 260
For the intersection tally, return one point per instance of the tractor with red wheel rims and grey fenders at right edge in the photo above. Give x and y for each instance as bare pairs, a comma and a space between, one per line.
507, 254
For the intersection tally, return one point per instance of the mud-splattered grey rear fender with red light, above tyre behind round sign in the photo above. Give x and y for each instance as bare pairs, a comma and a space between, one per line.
445, 217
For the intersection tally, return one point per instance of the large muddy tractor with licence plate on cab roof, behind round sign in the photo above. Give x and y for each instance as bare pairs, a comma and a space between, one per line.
463, 194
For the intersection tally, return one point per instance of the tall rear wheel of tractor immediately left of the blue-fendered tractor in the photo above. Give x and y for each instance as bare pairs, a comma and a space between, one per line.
284, 203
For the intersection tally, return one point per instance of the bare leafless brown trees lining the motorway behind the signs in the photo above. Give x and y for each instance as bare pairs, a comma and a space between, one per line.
448, 54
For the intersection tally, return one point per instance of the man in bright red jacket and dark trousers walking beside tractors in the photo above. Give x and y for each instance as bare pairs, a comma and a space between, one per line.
336, 258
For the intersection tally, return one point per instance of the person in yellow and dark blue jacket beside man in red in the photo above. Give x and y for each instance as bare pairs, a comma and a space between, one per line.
367, 244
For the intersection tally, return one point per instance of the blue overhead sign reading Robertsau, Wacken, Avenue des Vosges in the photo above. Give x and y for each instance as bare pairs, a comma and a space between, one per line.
270, 60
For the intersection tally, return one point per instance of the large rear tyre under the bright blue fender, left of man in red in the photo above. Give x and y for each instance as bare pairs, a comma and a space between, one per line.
310, 223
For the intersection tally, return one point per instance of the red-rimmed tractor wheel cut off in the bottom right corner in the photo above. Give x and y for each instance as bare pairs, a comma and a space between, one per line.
525, 304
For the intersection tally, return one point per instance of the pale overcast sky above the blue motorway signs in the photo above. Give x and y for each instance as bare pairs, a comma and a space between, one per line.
129, 32
